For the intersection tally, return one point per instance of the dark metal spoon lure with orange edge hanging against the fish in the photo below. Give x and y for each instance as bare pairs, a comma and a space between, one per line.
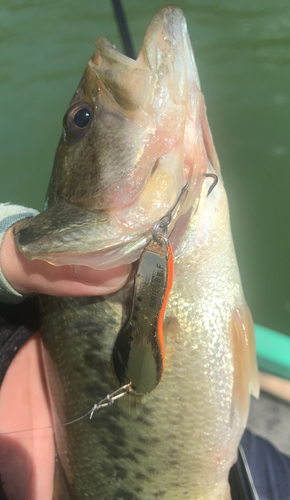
138, 353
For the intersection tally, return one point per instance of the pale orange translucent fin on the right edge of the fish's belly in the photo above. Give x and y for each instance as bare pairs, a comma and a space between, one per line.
244, 360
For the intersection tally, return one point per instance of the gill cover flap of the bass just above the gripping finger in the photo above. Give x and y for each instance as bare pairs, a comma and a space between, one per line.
92, 239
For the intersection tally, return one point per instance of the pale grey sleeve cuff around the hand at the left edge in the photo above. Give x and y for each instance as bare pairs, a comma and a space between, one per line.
9, 215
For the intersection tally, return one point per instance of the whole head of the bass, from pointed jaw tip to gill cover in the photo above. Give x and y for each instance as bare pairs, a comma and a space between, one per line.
134, 134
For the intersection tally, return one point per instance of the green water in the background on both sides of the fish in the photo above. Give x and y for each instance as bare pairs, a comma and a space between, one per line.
242, 48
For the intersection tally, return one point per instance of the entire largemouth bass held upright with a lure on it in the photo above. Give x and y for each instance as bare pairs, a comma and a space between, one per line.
136, 146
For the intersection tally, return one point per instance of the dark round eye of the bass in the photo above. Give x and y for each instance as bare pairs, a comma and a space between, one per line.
77, 118
